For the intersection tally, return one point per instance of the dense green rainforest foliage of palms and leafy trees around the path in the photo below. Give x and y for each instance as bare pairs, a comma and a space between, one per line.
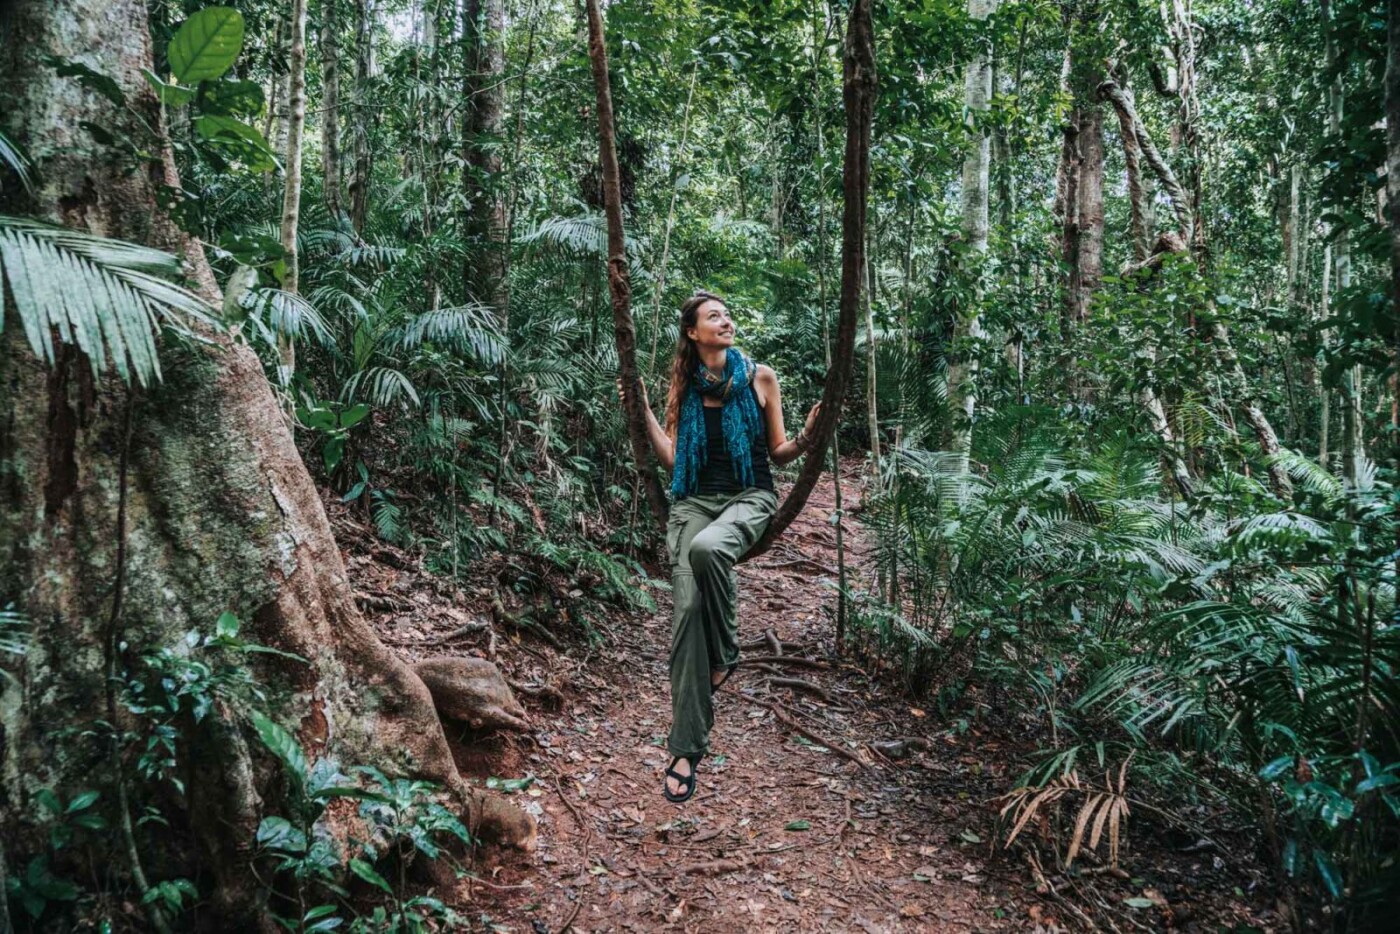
1235, 645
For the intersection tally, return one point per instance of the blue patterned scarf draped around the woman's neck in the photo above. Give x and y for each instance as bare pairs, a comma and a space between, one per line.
740, 418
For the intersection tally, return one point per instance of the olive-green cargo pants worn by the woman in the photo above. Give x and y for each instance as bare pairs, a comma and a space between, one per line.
706, 537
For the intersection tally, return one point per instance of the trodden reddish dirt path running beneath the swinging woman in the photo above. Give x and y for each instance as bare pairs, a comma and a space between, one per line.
782, 834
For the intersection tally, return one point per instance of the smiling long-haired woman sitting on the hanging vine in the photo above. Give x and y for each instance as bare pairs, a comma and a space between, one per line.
724, 428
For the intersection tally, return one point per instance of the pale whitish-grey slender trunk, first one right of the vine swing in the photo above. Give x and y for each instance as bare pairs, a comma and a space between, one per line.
962, 376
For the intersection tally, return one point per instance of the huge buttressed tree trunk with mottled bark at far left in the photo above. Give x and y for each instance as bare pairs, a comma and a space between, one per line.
131, 519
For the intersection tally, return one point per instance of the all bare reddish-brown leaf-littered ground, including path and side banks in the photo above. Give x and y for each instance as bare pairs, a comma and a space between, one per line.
787, 831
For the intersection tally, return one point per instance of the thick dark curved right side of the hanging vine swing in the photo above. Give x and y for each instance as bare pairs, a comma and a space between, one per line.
859, 96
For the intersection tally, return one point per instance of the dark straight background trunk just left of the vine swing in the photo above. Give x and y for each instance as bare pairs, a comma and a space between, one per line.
484, 33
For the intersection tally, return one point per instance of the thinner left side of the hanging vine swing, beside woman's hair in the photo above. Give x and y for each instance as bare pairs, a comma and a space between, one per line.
619, 281
